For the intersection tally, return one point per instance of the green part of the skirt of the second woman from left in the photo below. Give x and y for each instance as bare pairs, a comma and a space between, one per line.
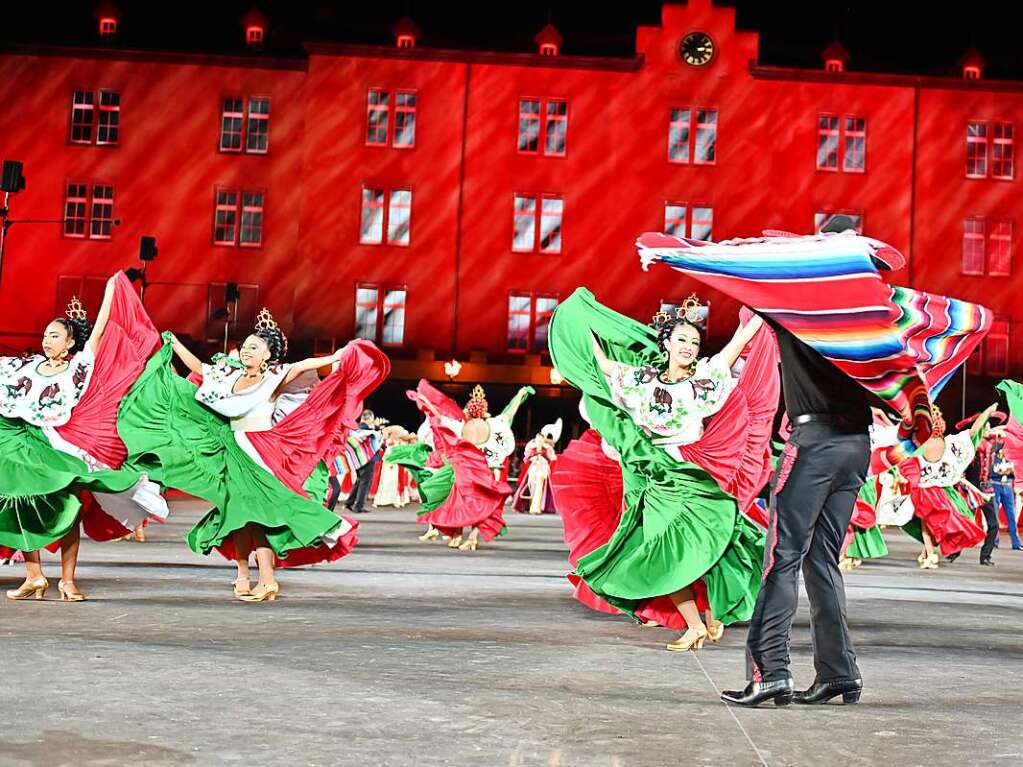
183, 445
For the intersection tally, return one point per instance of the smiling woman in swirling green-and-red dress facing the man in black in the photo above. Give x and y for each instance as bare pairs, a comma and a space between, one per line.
681, 548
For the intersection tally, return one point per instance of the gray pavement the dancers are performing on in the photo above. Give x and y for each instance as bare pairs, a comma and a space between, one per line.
411, 654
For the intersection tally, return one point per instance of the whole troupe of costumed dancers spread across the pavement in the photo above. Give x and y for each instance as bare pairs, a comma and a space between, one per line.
679, 509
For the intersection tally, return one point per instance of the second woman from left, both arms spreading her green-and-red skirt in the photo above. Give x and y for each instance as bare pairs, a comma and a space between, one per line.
225, 443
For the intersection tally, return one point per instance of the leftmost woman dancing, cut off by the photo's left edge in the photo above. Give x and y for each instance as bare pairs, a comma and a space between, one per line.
59, 438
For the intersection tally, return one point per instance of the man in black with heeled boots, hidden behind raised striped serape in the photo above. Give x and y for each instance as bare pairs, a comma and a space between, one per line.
824, 466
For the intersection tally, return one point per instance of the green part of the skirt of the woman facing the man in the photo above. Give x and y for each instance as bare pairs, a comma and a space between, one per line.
679, 527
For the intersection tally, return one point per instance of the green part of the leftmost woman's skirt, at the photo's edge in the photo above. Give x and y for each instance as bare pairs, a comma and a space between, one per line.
40, 486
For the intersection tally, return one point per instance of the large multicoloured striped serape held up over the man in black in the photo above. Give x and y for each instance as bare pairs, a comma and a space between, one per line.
902, 345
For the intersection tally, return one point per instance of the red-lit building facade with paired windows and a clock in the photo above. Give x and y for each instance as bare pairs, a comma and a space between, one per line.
443, 202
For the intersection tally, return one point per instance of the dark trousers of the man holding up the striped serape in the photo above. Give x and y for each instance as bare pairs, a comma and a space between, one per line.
815, 490
